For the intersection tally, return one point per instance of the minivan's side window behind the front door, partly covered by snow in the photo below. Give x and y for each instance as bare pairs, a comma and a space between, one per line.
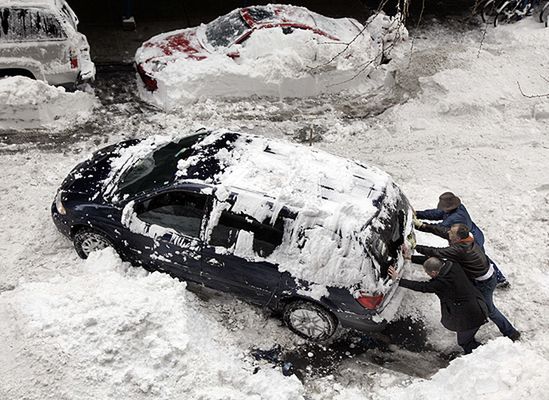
266, 236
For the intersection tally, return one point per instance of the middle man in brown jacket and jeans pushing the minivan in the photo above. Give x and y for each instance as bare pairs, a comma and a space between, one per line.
476, 265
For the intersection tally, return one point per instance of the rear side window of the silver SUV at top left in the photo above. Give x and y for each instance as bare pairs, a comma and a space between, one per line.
19, 24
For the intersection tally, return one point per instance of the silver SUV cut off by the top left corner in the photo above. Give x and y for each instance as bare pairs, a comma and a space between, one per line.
39, 39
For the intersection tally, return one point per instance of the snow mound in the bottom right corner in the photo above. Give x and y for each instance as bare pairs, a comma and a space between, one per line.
499, 370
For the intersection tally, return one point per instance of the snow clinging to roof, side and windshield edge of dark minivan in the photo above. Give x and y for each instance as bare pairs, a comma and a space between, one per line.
336, 203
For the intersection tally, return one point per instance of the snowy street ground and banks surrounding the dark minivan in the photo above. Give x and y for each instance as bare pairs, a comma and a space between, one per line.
455, 120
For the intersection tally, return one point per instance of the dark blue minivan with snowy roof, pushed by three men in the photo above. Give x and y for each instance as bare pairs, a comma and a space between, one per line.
283, 226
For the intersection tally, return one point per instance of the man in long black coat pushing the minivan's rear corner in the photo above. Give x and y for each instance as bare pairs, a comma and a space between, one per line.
461, 305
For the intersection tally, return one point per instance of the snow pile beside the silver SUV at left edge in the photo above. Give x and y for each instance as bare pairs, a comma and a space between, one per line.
27, 103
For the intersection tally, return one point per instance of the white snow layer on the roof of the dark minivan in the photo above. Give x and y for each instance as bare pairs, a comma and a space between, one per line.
292, 174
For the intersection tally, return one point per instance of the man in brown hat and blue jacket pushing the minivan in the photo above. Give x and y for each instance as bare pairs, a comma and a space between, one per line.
450, 211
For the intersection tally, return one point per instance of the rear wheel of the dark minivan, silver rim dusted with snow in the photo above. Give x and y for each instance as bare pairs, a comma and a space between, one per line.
309, 320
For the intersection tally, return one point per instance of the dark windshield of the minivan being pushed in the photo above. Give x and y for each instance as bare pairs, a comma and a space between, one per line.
157, 168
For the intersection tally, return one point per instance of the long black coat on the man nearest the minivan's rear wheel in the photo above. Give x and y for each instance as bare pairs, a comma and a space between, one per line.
461, 304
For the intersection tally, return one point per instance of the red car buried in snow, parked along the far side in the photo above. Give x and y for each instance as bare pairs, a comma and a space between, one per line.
273, 50
